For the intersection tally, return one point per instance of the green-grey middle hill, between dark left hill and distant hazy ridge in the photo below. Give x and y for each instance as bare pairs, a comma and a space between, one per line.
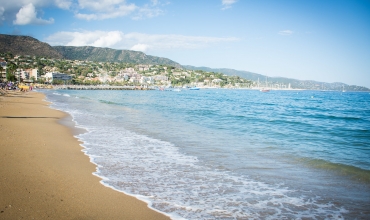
111, 55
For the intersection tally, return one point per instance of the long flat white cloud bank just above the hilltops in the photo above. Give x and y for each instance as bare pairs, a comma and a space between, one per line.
133, 41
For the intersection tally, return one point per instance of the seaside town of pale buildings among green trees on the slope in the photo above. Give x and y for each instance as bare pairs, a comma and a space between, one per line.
45, 72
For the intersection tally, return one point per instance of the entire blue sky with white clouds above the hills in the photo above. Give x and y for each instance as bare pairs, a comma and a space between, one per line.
322, 40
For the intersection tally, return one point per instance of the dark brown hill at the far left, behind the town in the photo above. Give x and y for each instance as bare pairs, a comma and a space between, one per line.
25, 45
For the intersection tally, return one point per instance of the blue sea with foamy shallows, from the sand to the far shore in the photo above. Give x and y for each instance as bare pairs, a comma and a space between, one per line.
228, 153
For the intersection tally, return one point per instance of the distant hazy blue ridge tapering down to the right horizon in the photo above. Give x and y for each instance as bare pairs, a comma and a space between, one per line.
275, 81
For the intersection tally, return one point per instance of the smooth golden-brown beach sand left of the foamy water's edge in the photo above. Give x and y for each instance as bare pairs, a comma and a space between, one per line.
43, 172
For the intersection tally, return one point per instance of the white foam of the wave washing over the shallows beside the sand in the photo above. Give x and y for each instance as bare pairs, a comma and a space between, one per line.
177, 184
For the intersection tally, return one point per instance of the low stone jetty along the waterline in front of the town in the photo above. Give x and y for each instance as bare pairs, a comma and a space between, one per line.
100, 87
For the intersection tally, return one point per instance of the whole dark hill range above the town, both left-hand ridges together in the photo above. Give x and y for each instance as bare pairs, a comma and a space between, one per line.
25, 45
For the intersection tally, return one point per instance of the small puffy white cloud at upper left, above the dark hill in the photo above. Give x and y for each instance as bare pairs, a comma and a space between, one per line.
28, 15
